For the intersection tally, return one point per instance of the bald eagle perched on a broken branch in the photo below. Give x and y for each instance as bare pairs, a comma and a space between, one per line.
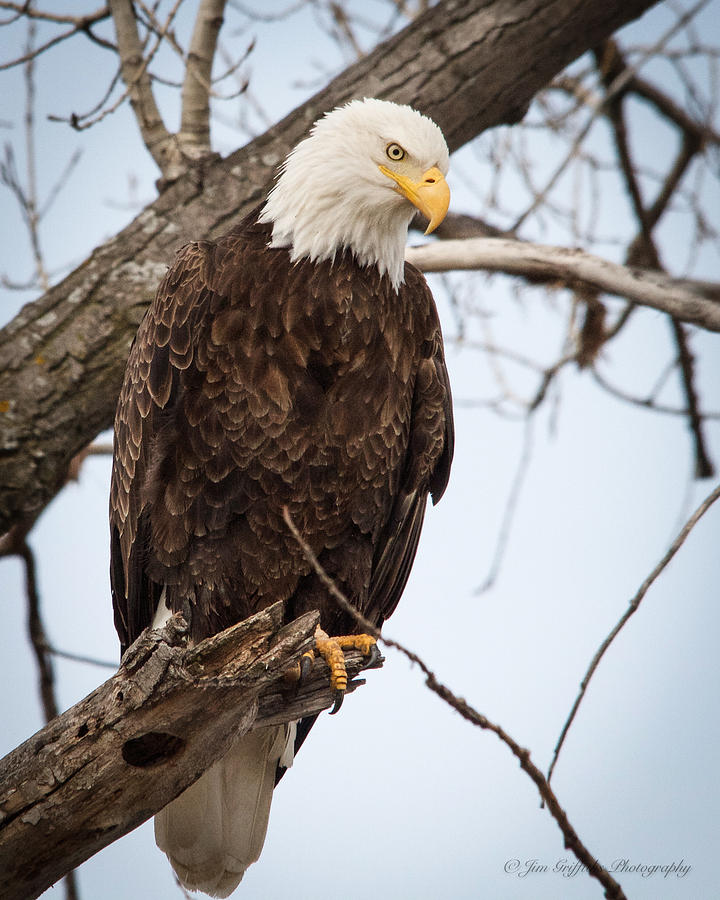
296, 362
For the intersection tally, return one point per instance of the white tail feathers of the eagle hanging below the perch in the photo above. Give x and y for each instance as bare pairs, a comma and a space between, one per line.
214, 830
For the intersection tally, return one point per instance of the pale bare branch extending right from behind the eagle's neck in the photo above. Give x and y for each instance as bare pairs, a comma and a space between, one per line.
569, 266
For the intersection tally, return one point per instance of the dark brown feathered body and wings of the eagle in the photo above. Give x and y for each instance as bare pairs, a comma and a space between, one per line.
254, 384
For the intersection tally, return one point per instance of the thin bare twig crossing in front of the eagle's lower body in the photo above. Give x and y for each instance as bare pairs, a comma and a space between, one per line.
571, 838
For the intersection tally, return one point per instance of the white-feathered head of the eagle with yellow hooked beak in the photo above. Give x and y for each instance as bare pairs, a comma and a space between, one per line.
355, 183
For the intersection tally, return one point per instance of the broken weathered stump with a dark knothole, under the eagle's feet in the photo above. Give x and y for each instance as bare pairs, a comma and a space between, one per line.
137, 741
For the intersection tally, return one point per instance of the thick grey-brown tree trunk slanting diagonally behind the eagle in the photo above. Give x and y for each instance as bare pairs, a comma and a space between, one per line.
468, 64
